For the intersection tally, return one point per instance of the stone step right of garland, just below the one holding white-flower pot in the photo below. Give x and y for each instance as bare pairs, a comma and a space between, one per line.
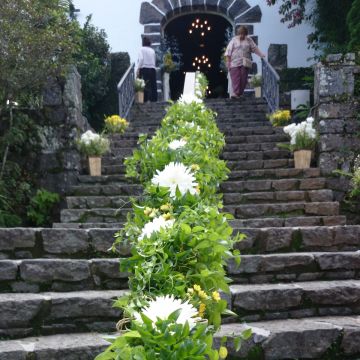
288, 184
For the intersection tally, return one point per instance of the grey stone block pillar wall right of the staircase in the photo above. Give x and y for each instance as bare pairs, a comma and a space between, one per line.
338, 113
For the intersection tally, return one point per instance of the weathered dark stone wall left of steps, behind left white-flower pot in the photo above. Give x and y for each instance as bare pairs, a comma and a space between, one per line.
60, 123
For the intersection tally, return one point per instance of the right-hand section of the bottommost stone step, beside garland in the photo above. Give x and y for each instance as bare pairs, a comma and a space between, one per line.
327, 337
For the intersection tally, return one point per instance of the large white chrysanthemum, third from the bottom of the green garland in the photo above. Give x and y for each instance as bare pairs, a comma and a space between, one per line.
176, 175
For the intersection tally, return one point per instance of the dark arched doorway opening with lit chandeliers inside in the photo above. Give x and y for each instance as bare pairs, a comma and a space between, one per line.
201, 39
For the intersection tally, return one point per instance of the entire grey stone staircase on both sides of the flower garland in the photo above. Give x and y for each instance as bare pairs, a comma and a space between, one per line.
298, 285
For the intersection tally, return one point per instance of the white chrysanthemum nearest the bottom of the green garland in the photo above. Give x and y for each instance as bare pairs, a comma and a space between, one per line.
163, 306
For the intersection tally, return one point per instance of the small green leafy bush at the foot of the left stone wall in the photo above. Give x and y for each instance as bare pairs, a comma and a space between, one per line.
42, 207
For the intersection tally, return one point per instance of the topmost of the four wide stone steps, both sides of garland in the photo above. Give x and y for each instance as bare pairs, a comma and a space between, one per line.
78, 243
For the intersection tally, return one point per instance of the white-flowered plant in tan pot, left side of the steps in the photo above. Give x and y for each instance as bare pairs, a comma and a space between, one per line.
93, 146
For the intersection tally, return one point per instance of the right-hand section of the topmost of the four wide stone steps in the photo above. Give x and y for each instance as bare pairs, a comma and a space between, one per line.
295, 239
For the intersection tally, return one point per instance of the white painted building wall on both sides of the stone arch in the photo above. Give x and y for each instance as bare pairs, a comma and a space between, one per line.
120, 19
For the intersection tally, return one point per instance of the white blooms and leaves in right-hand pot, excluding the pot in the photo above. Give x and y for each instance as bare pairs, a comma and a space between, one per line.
302, 136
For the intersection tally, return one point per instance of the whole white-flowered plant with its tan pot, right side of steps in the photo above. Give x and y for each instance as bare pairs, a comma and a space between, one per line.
303, 139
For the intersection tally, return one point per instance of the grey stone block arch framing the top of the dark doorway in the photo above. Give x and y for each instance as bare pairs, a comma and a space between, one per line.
155, 15
